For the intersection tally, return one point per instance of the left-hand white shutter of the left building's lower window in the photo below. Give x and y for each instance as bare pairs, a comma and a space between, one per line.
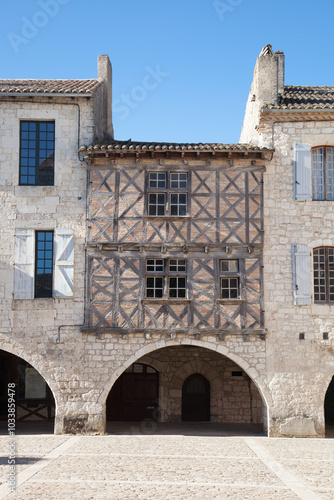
24, 266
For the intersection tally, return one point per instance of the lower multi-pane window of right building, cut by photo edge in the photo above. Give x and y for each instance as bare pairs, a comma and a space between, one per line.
323, 274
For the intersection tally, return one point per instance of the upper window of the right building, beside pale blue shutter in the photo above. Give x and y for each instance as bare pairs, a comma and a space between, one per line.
323, 173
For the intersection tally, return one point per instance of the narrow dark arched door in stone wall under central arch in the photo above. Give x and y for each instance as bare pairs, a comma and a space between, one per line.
196, 399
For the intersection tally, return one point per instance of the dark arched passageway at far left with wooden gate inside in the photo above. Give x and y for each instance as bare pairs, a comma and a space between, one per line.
34, 401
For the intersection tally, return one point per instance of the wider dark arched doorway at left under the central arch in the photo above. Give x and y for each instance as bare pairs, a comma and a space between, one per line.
134, 396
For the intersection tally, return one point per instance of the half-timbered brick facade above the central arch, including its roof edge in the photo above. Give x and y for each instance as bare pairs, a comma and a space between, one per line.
175, 239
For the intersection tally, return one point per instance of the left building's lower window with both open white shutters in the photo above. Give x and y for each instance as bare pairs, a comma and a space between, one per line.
44, 263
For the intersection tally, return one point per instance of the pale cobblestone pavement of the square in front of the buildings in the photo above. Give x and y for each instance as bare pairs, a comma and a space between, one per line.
163, 466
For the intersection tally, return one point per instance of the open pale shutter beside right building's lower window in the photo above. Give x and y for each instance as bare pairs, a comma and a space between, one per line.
301, 275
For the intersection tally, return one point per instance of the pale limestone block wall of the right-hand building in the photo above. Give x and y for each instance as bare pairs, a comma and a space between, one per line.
299, 371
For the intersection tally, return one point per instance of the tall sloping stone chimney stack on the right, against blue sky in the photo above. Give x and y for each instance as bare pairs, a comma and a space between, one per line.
266, 88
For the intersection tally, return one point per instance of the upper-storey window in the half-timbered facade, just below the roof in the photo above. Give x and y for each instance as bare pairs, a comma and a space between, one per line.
168, 194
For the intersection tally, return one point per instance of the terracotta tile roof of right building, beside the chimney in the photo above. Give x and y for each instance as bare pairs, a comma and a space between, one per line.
295, 97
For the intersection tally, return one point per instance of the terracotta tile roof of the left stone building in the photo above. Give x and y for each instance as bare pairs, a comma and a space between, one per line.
48, 86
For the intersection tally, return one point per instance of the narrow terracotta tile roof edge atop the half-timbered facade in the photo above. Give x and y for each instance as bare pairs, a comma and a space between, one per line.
132, 146
